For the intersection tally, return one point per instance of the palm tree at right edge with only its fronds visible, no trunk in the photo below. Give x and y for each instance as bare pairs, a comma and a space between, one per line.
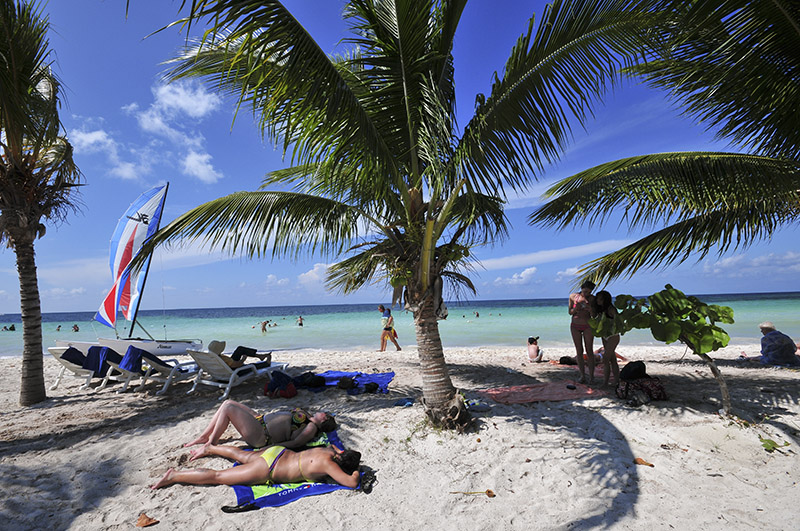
734, 66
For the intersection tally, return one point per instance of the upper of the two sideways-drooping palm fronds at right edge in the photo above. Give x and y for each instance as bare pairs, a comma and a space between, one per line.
651, 190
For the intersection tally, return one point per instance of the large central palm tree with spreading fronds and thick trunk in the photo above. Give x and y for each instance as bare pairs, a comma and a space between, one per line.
381, 176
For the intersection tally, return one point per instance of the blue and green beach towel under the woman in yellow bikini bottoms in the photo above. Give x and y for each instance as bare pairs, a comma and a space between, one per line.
251, 497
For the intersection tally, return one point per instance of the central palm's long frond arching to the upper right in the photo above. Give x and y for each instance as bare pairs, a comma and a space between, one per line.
552, 77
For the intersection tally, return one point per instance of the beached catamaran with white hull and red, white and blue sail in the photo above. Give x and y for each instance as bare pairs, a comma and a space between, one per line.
139, 223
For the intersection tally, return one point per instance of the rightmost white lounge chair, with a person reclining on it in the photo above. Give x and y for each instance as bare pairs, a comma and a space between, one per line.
214, 371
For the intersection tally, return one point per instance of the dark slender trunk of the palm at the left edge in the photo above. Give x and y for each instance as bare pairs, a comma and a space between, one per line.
32, 387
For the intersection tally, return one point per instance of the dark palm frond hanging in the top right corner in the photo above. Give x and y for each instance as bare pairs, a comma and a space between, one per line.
733, 65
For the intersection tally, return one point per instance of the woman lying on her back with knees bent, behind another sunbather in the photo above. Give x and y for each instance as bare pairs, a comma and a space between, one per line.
291, 429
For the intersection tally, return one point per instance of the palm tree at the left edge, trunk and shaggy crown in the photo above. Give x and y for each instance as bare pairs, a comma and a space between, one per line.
37, 173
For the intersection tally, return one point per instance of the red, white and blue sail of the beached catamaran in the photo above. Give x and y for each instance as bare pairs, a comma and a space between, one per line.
138, 224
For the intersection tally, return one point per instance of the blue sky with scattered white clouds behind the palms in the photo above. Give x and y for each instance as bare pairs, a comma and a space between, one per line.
132, 132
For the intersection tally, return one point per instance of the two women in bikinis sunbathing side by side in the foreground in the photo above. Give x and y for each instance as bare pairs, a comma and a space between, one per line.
278, 437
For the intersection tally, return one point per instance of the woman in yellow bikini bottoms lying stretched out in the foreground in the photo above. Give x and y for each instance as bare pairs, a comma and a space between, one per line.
275, 464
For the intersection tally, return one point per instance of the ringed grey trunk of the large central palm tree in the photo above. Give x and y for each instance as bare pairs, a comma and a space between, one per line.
442, 404
